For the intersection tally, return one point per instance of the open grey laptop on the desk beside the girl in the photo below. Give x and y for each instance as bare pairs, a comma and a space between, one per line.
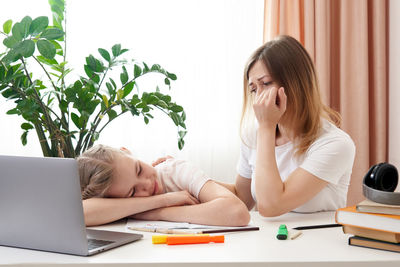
41, 208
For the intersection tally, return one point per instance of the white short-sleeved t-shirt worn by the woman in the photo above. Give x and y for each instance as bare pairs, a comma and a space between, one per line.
330, 158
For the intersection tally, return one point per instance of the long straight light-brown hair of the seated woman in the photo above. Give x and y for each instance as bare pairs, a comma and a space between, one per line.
291, 67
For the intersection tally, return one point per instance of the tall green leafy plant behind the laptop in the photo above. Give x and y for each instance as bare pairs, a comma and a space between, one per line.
69, 117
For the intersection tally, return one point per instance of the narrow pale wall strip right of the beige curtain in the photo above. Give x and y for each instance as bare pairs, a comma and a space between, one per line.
394, 83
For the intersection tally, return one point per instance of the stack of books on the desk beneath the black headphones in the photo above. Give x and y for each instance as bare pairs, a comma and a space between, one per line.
373, 225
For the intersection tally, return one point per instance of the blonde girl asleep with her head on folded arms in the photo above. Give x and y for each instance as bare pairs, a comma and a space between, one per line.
115, 185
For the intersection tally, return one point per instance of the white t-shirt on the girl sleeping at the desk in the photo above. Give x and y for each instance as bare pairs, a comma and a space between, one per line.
177, 175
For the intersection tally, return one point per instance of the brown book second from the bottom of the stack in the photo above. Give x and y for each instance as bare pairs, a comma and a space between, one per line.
371, 233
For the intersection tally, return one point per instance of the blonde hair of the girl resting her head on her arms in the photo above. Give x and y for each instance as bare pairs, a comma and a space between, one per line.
96, 170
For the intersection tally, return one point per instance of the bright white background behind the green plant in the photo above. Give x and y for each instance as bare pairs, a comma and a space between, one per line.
204, 42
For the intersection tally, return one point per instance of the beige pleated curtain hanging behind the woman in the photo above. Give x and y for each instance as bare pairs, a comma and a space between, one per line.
348, 43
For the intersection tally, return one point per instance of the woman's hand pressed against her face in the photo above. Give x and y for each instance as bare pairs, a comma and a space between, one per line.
269, 106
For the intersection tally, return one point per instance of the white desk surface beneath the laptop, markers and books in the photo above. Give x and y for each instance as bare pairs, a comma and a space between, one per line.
317, 247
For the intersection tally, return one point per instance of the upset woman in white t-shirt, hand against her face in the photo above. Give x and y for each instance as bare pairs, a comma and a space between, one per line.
293, 155
